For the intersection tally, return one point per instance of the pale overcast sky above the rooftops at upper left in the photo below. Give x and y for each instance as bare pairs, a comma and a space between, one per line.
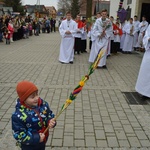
42, 2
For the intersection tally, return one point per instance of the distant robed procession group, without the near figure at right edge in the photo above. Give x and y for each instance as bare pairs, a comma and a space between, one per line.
104, 32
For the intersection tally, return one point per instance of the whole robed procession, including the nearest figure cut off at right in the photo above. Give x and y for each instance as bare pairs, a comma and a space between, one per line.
109, 36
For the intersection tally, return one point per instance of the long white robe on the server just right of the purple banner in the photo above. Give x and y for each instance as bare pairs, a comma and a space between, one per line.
128, 41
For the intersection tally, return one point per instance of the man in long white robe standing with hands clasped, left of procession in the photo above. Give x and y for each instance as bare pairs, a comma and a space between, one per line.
67, 30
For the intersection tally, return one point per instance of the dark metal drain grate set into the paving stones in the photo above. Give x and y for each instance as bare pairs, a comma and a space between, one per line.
133, 98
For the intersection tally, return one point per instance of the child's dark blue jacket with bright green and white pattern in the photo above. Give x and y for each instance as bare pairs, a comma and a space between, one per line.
28, 122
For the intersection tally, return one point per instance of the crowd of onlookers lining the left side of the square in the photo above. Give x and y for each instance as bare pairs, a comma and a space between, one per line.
13, 28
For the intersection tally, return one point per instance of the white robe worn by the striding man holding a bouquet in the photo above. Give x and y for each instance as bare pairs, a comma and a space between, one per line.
104, 41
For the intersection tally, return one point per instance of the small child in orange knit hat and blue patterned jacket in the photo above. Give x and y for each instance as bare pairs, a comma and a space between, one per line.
31, 117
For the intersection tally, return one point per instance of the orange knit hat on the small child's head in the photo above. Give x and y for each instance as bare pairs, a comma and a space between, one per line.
25, 89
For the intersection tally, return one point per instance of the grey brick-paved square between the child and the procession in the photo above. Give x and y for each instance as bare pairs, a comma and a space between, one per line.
100, 118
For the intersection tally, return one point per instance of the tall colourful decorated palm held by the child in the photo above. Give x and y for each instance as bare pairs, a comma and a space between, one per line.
78, 89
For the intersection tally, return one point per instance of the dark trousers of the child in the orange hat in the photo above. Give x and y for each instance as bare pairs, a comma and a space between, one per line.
40, 146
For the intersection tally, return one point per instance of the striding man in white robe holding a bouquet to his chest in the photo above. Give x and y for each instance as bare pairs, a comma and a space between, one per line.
102, 30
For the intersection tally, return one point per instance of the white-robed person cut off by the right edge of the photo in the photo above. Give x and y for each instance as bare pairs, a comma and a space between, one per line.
143, 80
